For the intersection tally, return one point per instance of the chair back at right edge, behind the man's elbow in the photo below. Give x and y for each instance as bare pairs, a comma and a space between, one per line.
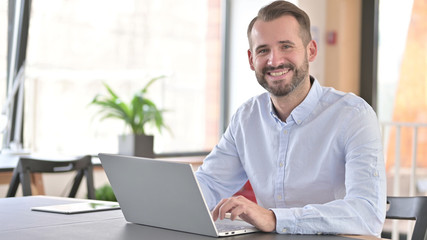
410, 208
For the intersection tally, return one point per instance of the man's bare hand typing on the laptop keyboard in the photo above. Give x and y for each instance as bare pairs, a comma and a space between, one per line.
239, 206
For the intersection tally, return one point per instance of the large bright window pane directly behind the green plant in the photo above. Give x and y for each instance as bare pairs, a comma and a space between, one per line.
74, 46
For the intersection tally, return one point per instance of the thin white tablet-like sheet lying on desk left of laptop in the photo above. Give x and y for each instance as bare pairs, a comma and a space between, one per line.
72, 208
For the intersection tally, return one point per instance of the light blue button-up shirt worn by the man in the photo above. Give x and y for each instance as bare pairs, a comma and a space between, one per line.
321, 171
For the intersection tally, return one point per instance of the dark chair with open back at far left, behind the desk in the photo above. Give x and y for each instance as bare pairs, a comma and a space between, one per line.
28, 164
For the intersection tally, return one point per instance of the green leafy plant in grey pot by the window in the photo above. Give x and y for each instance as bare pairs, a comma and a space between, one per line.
135, 115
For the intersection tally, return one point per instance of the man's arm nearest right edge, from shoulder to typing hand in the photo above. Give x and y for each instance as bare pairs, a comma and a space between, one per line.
362, 211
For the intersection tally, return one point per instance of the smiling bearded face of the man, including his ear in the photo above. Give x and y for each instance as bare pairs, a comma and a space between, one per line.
278, 55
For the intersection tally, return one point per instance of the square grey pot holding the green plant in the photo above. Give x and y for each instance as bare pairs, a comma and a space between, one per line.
136, 145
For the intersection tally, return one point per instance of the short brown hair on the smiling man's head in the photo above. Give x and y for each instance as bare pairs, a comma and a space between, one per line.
281, 8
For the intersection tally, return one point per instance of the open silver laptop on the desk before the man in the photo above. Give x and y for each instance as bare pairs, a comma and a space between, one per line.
164, 194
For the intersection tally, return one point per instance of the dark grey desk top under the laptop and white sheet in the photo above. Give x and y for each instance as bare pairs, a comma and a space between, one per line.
17, 221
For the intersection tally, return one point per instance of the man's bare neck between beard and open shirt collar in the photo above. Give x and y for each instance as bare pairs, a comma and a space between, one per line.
284, 105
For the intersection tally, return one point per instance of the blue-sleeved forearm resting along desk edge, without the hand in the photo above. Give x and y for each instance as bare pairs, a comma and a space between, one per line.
349, 216
